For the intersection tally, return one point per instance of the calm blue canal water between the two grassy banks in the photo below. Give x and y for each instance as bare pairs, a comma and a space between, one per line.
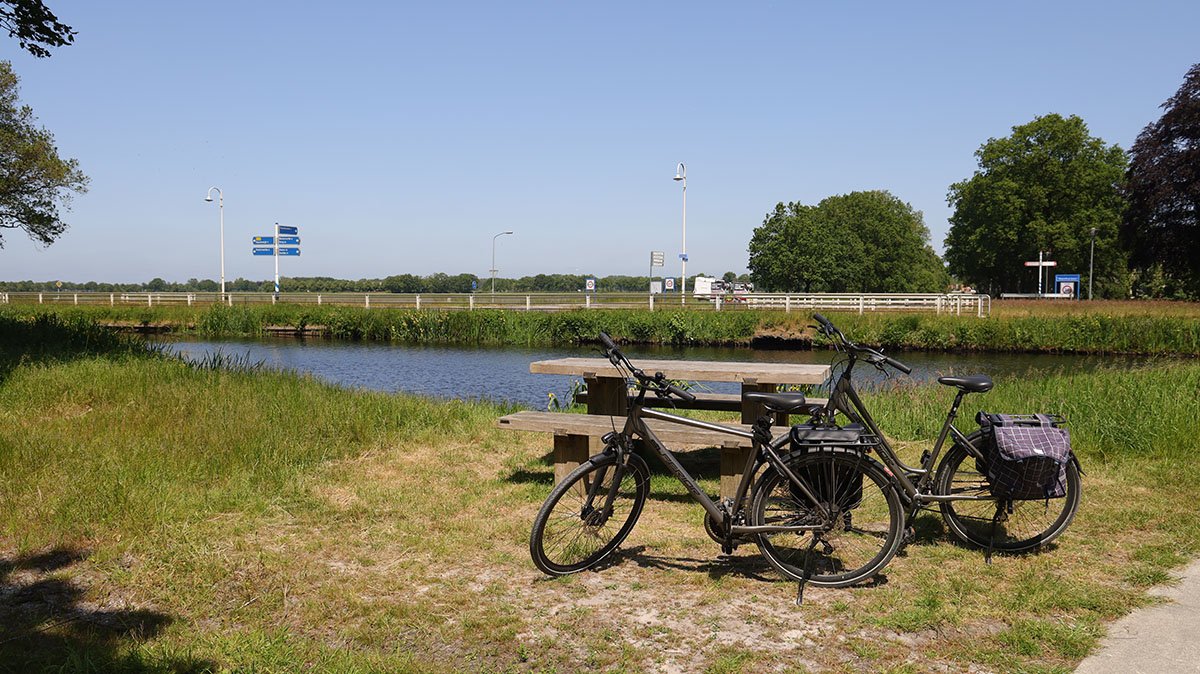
502, 374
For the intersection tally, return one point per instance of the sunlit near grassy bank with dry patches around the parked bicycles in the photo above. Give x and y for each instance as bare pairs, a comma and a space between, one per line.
164, 517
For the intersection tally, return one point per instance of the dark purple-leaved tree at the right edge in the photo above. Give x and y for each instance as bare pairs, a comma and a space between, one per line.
1161, 227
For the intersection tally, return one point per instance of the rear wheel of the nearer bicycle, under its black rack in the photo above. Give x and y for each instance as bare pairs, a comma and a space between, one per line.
861, 540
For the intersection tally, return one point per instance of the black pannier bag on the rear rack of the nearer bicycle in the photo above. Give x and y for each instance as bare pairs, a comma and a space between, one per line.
842, 485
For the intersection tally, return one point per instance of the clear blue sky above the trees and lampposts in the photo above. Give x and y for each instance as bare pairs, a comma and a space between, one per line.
400, 137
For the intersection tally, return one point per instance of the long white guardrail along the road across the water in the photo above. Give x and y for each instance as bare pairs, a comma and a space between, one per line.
952, 304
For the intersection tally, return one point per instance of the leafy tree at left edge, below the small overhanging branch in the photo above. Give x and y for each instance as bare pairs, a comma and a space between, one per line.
34, 180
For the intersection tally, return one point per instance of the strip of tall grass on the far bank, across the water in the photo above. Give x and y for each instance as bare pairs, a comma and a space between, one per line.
1103, 328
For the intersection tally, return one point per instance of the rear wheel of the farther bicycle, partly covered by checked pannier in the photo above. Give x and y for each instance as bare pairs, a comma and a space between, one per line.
1033, 523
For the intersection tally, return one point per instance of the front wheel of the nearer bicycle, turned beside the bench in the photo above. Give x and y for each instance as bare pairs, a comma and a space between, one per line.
589, 515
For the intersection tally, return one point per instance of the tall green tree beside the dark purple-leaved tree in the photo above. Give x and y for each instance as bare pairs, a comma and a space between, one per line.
1042, 189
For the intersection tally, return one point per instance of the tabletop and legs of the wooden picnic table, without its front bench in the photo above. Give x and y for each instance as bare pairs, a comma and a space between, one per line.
609, 395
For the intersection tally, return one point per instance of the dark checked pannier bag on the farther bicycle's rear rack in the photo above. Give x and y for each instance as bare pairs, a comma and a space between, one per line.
1027, 456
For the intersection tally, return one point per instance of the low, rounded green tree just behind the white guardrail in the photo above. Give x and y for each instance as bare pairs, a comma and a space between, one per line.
863, 242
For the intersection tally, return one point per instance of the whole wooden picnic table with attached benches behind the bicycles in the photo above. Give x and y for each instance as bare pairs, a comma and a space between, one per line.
578, 437
